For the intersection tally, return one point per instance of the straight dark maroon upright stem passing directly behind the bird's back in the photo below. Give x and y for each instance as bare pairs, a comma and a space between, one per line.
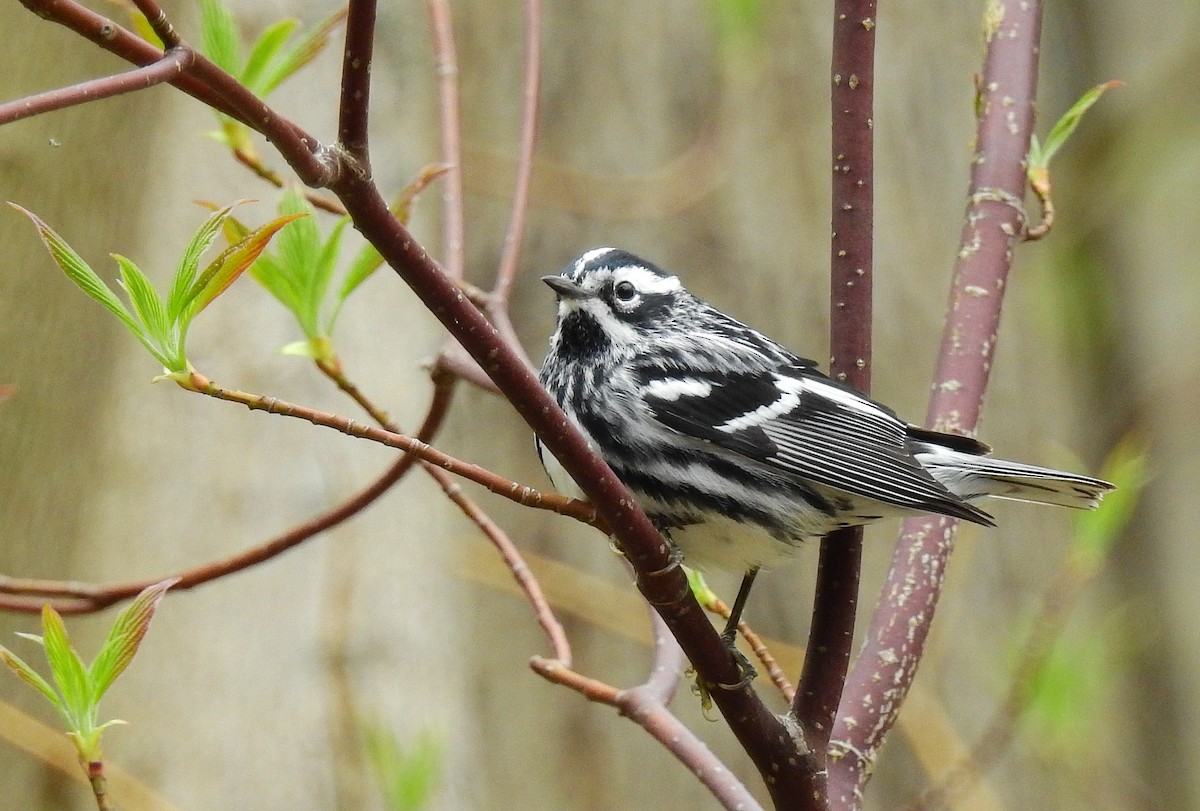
850, 347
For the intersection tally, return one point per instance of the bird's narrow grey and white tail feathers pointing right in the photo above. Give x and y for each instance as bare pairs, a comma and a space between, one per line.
970, 477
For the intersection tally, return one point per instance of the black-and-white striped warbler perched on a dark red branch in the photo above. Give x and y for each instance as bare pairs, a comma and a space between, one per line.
737, 449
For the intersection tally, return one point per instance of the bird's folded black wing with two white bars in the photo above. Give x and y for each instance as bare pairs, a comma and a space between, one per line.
799, 422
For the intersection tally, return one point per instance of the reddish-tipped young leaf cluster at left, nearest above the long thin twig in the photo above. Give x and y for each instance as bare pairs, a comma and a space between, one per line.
161, 325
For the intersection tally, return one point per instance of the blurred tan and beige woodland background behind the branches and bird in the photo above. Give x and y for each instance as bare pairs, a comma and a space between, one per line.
705, 149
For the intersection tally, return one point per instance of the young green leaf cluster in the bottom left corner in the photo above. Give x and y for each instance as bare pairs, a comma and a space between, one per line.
77, 688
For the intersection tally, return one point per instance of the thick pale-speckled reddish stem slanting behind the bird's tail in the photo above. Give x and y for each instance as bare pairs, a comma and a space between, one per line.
995, 219
